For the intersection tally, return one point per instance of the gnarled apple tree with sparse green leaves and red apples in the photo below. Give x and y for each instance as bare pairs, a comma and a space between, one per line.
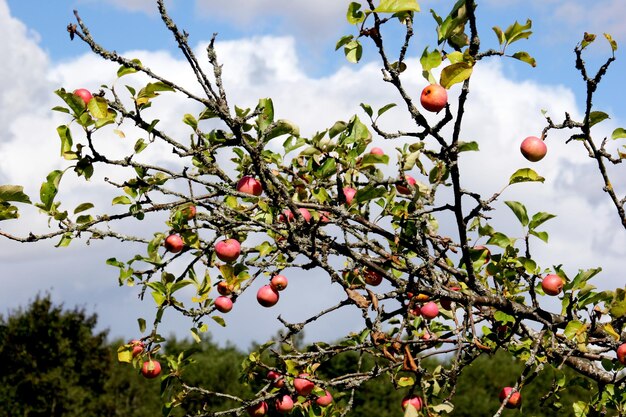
335, 203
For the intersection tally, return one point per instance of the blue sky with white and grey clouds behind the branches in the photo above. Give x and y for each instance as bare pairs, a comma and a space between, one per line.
285, 49
